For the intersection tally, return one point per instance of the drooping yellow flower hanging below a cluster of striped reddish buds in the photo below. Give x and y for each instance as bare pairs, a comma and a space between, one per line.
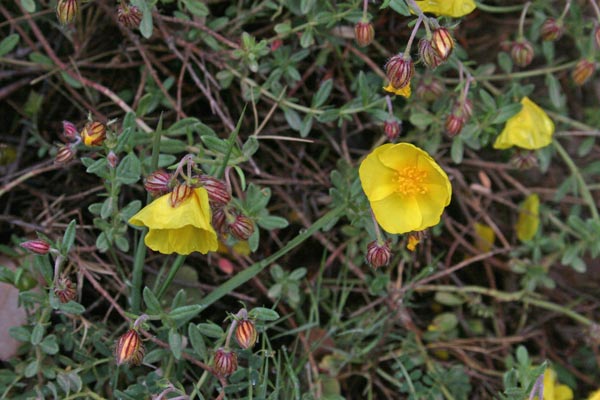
181, 229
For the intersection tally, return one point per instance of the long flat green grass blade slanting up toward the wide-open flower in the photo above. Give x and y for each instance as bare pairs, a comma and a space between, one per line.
250, 272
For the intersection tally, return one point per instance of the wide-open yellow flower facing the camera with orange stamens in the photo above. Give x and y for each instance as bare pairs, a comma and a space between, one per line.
407, 189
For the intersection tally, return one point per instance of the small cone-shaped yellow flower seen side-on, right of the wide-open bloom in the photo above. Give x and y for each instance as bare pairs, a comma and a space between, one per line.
530, 128
